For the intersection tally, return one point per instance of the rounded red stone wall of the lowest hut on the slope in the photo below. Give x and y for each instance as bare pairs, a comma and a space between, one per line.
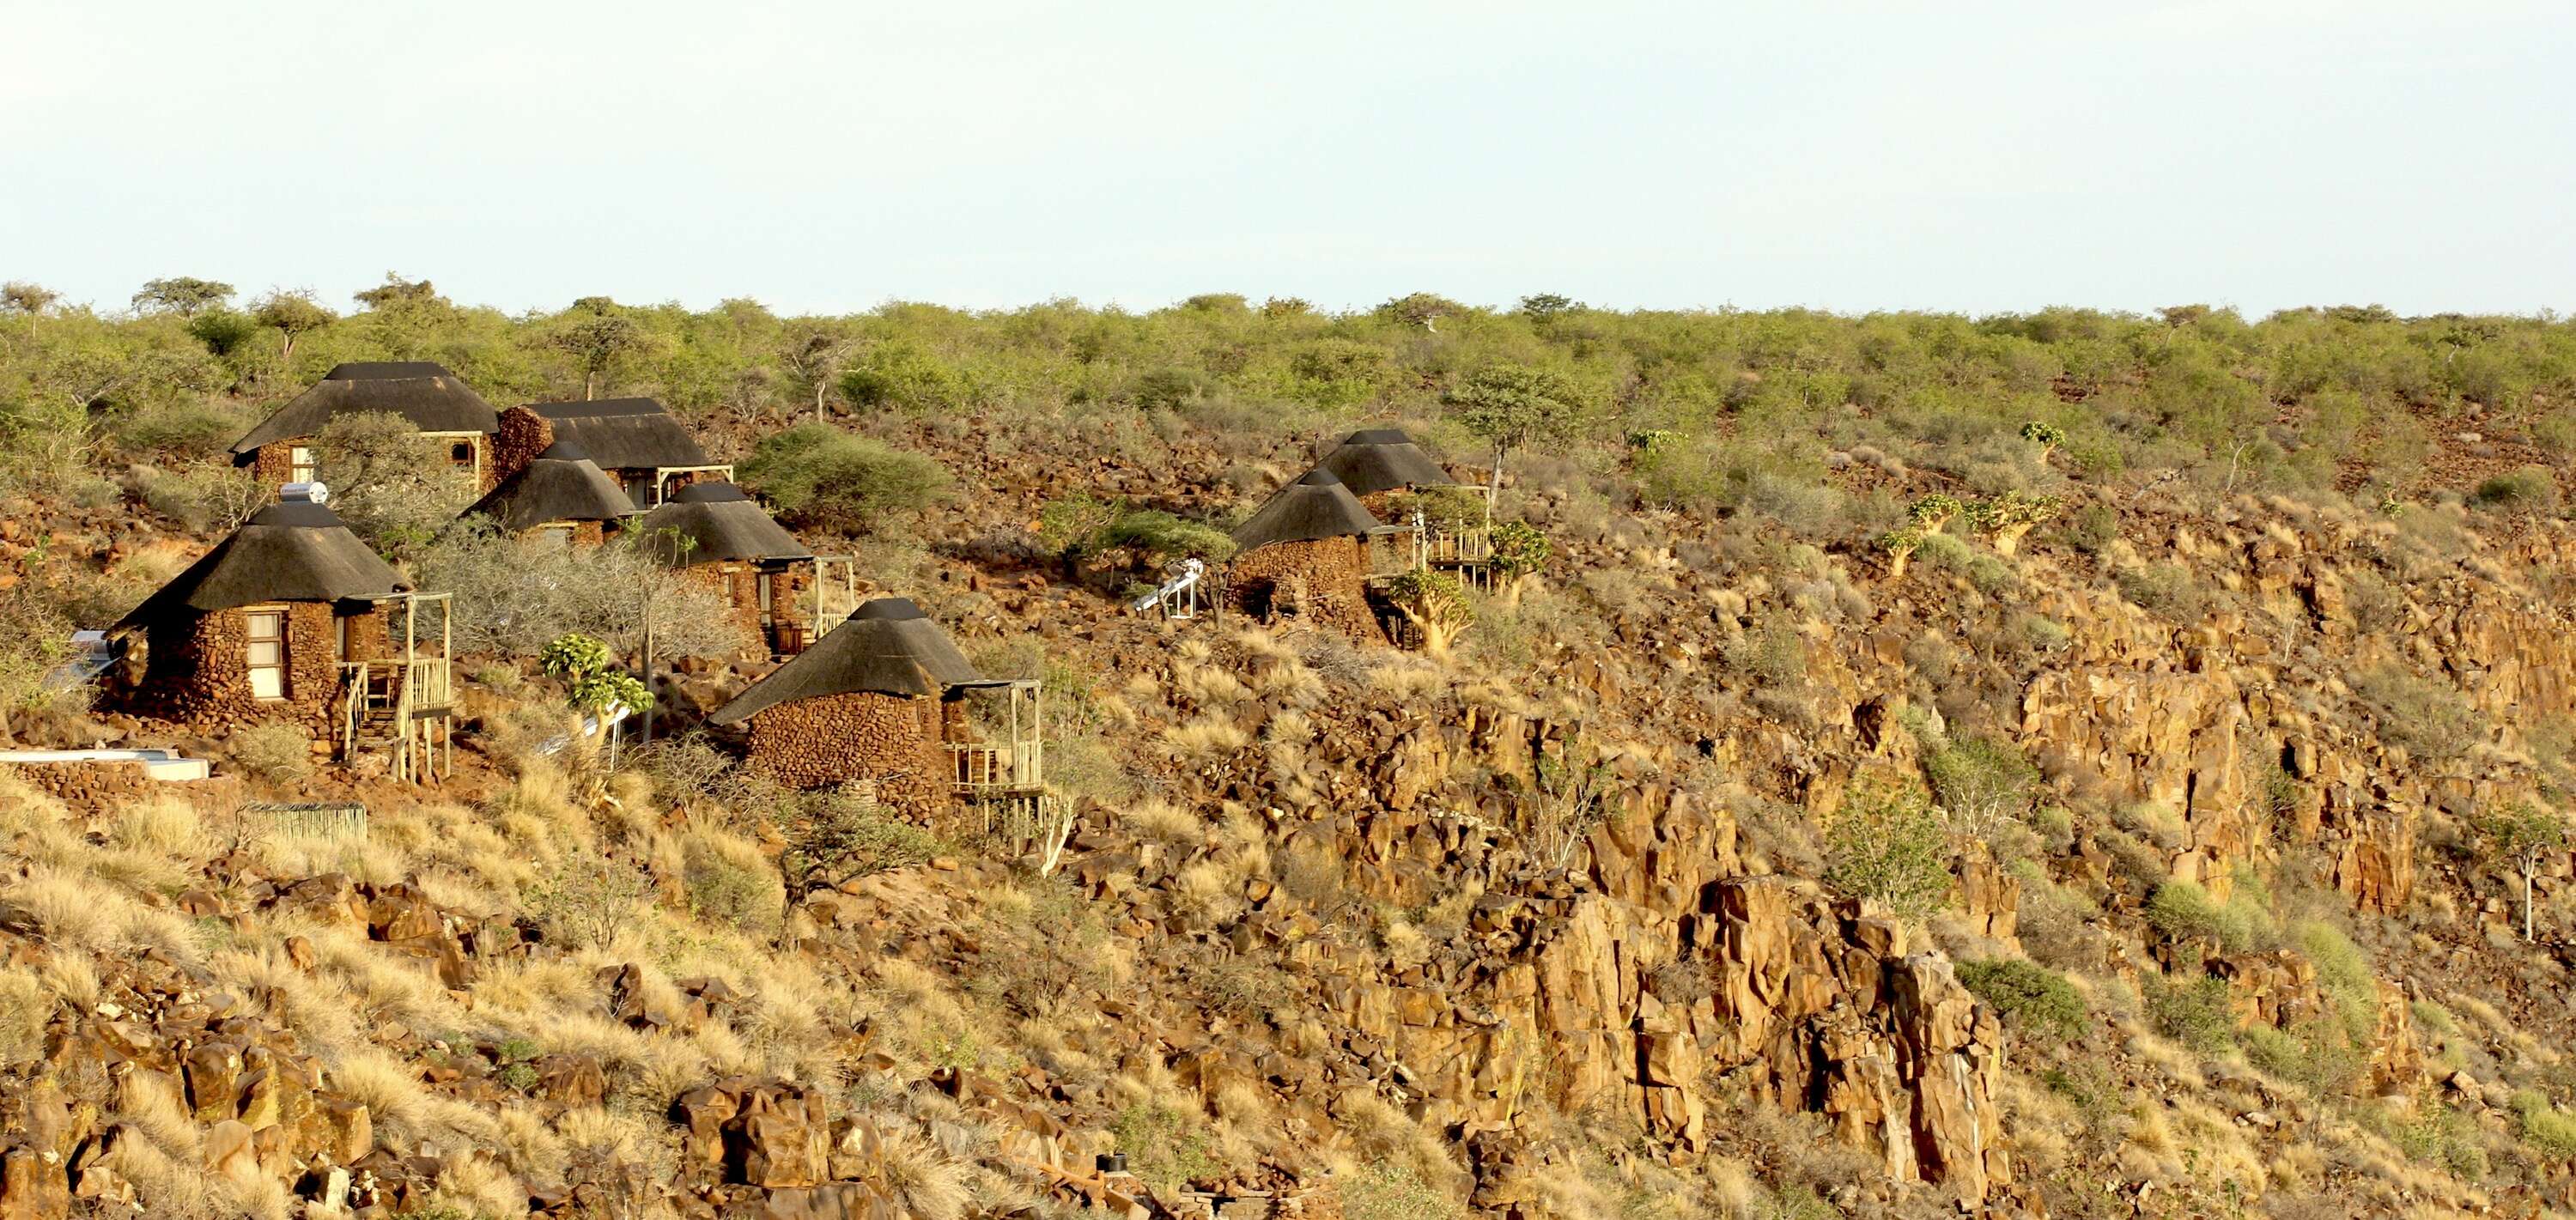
859, 737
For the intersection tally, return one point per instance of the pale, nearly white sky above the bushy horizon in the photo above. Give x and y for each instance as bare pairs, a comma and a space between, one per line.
836, 156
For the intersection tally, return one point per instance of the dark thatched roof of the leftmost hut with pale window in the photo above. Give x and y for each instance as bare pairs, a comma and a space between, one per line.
285, 555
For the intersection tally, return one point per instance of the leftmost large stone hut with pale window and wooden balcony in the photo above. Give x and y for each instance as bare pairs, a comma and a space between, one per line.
261, 627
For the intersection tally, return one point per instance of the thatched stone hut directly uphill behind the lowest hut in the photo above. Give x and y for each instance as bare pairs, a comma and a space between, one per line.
717, 534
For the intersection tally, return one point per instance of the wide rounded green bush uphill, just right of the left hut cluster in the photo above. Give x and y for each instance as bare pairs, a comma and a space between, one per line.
833, 480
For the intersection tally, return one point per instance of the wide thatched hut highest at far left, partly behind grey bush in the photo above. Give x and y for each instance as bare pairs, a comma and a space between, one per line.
437, 403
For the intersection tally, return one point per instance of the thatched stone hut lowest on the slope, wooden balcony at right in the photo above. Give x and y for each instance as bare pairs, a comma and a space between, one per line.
885, 699
